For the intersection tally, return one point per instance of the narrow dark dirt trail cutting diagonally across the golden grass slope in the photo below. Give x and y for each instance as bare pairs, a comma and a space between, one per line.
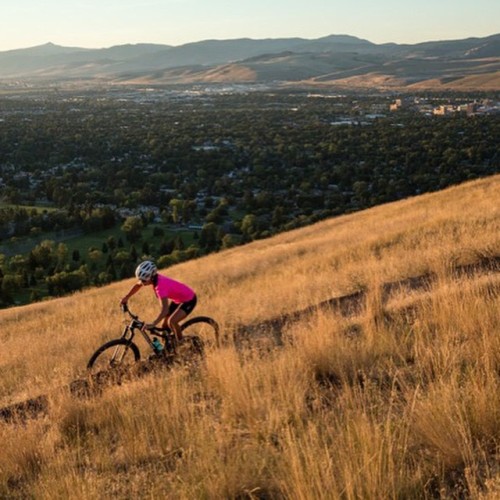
243, 335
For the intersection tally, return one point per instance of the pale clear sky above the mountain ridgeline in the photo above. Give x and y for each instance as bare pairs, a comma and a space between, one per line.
104, 23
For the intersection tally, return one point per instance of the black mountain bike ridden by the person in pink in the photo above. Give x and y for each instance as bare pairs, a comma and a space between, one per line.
199, 333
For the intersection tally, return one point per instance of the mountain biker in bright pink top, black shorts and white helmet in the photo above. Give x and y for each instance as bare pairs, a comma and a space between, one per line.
182, 298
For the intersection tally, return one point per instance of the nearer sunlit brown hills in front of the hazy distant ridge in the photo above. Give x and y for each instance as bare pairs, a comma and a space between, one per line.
340, 70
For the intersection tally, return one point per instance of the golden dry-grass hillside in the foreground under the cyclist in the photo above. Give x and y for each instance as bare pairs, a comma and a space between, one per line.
397, 396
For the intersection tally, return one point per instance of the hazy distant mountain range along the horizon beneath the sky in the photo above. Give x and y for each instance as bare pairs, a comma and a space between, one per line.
336, 60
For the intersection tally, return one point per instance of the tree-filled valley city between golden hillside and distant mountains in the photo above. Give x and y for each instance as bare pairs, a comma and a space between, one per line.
93, 179
